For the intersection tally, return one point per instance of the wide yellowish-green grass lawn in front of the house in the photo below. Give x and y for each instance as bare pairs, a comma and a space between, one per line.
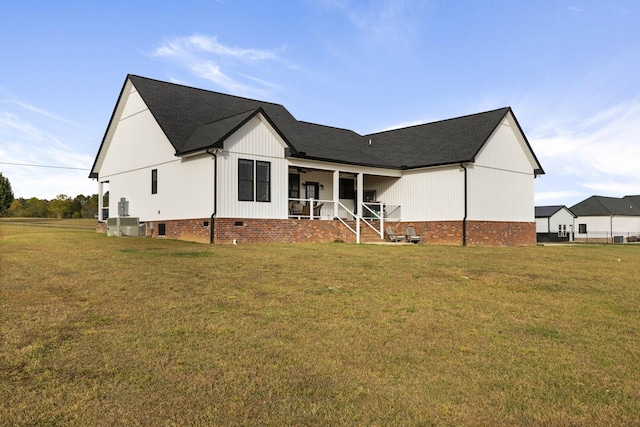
123, 331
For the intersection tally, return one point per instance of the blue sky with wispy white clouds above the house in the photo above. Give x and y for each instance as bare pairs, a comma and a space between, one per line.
570, 69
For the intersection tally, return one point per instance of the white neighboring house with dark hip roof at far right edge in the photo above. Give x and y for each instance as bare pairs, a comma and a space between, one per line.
607, 219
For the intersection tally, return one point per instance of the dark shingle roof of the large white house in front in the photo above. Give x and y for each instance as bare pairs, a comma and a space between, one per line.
196, 119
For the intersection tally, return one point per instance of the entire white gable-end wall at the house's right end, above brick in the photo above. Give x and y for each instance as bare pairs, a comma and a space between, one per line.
501, 180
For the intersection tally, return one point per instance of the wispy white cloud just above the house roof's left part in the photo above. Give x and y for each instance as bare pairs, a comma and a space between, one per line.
226, 66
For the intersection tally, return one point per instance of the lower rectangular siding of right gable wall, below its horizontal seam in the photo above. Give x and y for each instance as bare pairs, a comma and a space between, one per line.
499, 195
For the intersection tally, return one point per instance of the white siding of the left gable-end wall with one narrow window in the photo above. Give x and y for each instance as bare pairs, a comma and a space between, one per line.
138, 146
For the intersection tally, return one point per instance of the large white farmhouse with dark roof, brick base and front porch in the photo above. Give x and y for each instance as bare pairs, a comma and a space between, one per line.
205, 166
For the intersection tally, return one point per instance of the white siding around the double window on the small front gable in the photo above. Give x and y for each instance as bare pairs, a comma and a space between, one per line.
257, 141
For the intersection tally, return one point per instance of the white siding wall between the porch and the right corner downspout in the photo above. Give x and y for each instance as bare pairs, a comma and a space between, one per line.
433, 195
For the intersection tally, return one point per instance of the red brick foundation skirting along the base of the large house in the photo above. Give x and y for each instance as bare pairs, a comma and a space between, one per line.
242, 230
